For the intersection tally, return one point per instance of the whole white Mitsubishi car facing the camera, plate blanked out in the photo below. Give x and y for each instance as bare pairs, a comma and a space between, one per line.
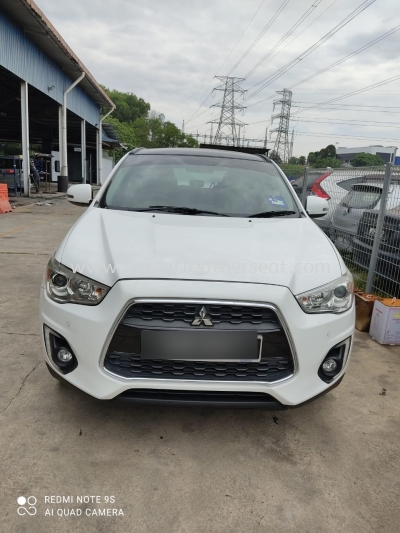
196, 276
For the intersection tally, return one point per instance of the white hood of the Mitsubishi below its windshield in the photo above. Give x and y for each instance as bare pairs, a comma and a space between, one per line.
108, 245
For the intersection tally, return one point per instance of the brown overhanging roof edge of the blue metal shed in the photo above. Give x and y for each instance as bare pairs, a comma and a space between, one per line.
27, 15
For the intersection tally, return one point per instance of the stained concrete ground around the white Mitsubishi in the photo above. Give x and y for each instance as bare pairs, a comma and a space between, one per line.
330, 466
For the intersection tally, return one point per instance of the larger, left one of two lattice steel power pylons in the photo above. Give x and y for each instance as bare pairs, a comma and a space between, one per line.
228, 129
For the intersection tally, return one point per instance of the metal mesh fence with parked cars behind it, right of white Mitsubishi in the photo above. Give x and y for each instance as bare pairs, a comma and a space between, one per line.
363, 221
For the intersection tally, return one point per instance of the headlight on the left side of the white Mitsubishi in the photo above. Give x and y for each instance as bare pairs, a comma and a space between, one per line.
63, 286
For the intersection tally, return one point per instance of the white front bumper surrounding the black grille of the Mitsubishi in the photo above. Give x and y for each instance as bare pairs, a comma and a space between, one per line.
88, 330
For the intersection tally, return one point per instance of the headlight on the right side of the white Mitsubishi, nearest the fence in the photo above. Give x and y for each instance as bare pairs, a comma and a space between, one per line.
335, 297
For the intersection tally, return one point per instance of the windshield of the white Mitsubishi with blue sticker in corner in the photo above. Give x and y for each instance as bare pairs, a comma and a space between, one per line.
219, 185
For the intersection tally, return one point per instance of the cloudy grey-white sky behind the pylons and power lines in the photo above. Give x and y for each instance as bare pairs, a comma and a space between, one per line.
169, 51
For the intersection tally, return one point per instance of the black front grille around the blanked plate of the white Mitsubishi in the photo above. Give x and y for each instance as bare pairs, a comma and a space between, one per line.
123, 357
